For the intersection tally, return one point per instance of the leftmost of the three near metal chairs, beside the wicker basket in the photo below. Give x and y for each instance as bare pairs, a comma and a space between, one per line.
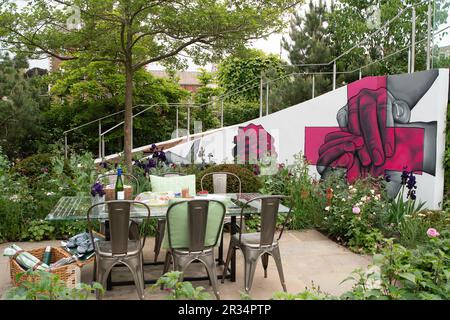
119, 249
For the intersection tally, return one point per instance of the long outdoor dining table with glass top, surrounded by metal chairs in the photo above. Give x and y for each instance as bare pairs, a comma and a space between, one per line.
76, 207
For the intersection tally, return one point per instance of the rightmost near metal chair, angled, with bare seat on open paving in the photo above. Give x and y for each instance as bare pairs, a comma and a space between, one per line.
260, 244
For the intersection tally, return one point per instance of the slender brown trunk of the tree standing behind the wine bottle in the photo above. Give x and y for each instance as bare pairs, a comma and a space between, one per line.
128, 122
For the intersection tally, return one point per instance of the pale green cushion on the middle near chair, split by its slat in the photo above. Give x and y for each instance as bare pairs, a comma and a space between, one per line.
179, 233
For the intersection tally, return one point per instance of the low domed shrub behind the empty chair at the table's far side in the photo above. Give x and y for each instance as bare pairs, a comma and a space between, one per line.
250, 182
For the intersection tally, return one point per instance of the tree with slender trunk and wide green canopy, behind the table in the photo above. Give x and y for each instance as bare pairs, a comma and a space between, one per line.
134, 33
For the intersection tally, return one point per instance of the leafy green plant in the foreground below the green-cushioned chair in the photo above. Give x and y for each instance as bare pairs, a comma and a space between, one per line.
180, 290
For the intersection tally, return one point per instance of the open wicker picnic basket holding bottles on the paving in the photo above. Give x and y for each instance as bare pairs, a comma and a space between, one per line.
70, 273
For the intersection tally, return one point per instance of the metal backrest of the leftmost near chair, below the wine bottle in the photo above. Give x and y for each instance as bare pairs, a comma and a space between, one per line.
119, 218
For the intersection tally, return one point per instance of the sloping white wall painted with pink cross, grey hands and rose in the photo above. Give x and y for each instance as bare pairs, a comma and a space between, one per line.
378, 125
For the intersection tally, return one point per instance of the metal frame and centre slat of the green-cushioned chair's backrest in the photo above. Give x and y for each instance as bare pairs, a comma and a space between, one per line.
197, 218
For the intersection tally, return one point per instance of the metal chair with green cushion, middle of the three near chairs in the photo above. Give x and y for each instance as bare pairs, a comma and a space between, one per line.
196, 246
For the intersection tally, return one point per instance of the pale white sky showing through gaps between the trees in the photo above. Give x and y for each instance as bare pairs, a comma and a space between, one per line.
268, 45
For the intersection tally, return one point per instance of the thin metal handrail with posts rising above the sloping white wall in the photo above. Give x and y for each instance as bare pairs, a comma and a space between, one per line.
259, 81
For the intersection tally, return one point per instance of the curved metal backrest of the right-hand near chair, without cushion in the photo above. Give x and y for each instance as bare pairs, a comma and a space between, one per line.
269, 213
